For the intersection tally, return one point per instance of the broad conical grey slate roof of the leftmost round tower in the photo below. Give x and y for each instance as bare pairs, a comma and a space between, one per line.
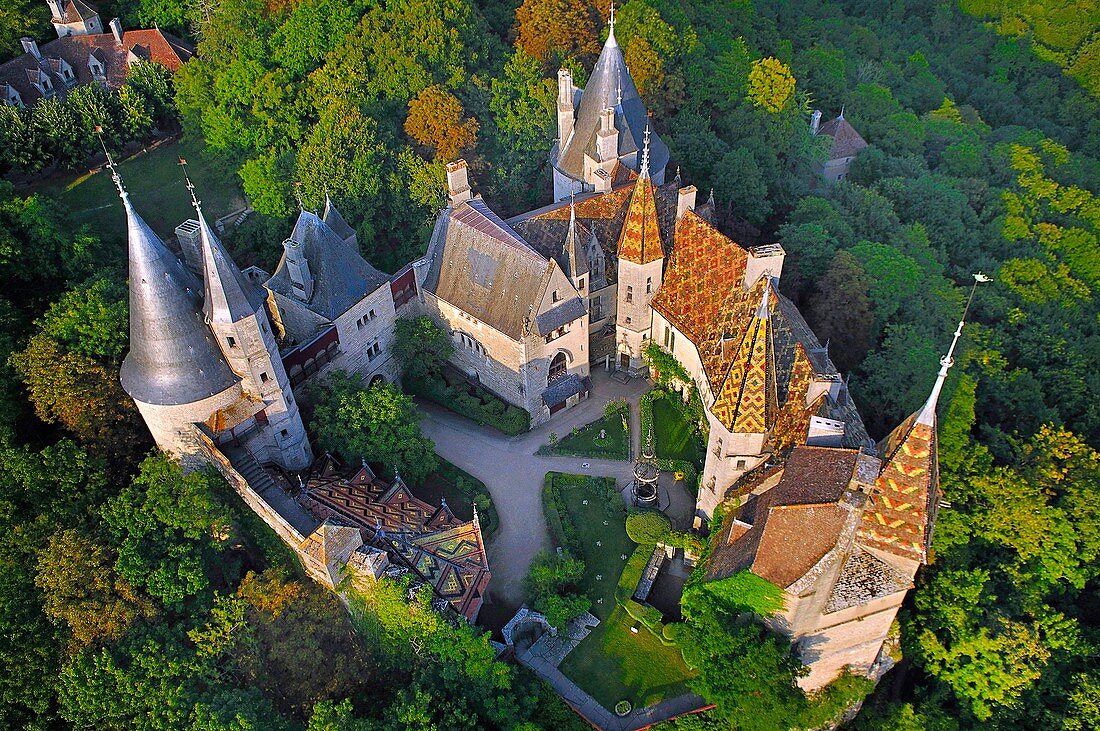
173, 357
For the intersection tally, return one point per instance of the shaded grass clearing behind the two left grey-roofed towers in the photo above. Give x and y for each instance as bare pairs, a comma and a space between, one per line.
157, 187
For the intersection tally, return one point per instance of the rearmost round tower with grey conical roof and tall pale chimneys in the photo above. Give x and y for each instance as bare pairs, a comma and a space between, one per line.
601, 128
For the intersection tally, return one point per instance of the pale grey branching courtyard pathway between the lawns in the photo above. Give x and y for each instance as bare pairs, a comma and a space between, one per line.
514, 473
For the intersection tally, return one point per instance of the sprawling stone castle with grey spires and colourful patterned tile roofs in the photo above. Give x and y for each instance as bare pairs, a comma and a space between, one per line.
619, 262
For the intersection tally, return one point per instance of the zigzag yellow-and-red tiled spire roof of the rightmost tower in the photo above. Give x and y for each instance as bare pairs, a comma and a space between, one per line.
907, 493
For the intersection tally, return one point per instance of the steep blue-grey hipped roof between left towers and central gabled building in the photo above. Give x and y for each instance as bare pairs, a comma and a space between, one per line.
342, 278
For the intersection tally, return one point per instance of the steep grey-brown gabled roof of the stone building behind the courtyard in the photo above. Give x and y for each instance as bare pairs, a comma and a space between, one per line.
479, 264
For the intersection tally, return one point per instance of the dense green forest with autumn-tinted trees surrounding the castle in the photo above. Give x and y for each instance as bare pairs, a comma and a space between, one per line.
138, 597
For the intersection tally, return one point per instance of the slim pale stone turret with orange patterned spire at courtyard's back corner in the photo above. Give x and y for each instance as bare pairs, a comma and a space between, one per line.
641, 268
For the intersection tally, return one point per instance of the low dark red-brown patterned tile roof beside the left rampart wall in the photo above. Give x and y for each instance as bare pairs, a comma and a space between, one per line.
444, 552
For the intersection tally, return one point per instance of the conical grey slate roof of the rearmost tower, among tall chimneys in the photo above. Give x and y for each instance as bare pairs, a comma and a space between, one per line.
610, 77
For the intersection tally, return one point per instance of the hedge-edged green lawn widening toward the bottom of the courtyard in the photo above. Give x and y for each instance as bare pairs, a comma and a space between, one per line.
613, 664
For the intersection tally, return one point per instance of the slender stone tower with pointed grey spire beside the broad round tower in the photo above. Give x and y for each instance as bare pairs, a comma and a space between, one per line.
237, 315
